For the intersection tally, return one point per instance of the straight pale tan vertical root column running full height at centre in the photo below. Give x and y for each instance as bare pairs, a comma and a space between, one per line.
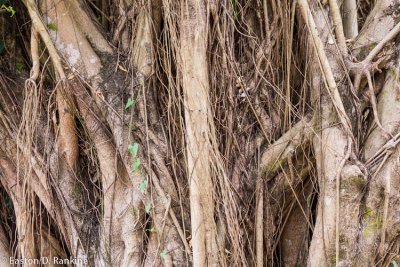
196, 89
